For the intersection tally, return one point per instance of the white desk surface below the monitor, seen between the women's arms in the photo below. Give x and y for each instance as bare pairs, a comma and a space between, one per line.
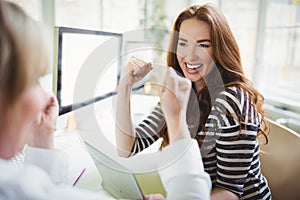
69, 142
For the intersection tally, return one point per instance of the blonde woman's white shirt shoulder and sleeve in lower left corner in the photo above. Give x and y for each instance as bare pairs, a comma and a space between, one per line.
40, 178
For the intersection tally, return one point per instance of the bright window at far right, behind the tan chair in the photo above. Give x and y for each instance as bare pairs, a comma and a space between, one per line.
279, 70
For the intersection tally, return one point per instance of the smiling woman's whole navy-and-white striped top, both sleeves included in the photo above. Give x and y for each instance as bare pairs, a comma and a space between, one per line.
230, 150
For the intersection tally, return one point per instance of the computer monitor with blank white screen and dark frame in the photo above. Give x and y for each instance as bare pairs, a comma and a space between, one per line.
86, 62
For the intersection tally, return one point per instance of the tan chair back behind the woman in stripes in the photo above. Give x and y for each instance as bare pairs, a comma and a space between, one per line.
280, 162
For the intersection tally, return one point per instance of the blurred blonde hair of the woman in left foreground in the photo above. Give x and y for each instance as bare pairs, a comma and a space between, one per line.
24, 53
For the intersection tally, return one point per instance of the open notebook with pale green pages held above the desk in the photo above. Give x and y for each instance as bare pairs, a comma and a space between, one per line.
120, 181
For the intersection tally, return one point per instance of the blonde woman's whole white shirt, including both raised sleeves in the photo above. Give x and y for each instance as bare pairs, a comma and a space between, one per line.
44, 171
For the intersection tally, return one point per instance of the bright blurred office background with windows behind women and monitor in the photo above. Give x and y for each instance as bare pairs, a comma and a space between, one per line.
267, 32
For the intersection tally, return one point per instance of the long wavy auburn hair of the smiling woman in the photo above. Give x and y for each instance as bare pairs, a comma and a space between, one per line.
228, 66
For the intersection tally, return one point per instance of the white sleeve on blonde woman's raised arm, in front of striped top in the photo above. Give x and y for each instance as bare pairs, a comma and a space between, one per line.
182, 171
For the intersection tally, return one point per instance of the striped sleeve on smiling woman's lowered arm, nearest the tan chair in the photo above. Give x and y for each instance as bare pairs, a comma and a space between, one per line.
237, 127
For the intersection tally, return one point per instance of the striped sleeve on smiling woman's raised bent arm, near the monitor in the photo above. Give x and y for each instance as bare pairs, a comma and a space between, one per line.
146, 131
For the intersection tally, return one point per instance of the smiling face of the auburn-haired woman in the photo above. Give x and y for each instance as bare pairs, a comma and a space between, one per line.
194, 50
